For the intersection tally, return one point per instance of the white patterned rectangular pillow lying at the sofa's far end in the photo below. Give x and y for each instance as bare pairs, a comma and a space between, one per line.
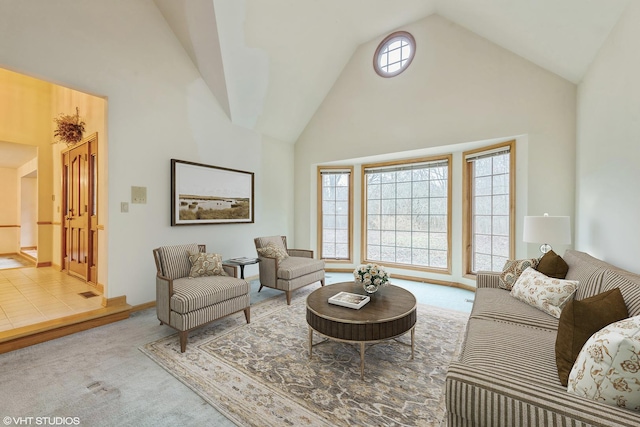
548, 294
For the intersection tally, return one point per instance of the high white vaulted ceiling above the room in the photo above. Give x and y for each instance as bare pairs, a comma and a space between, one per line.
271, 63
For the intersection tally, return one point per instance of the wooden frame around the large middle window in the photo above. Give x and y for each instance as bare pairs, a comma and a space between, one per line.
364, 205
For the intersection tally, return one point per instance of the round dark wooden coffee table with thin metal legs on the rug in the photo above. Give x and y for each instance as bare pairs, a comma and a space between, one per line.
389, 314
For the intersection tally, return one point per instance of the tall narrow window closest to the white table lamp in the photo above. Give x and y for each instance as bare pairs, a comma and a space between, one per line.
489, 180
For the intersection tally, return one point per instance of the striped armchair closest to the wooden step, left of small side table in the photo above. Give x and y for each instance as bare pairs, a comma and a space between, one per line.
185, 303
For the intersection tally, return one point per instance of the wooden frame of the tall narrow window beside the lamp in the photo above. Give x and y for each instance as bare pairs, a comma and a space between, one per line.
467, 208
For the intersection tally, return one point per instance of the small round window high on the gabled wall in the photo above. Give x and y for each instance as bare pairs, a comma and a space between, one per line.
394, 54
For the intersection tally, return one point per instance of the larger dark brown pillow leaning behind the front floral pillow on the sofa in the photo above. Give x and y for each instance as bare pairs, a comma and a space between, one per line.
581, 319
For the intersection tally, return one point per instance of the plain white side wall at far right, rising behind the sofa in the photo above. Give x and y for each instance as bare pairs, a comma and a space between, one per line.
608, 149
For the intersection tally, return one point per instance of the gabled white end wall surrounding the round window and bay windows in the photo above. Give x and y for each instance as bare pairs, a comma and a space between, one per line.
460, 88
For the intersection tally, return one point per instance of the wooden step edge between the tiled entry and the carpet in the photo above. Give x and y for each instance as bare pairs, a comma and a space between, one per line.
34, 334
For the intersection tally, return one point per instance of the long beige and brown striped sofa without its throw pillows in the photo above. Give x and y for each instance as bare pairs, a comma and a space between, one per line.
506, 375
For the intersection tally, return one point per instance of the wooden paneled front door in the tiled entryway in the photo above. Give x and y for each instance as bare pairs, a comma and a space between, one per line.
80, 210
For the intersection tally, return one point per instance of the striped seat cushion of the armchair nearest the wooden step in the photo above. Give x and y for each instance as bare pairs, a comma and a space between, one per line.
191, 294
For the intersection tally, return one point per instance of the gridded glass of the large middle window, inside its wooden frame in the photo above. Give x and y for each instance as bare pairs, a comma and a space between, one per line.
406, 213
